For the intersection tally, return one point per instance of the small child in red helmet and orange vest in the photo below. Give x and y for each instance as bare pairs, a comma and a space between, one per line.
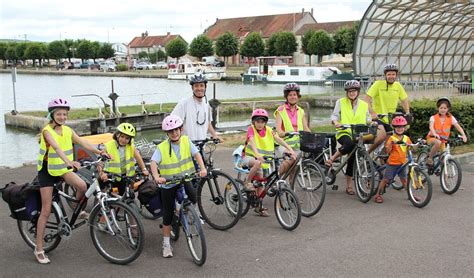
397, 156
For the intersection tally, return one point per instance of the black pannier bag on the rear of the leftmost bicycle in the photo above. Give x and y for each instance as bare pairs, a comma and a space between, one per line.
24, 200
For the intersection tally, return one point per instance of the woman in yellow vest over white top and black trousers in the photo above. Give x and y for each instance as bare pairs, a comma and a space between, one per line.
348, 110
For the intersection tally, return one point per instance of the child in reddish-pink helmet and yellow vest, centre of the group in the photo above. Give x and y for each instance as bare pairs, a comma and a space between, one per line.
260, 143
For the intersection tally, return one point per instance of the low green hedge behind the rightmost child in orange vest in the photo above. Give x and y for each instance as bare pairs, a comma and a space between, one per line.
422, 110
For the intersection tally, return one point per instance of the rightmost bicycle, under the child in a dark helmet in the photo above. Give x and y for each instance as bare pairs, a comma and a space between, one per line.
444, 166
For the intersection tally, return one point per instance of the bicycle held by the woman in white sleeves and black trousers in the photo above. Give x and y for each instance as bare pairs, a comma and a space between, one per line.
364, 169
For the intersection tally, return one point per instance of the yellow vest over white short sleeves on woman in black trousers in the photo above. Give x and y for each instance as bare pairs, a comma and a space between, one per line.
348, 117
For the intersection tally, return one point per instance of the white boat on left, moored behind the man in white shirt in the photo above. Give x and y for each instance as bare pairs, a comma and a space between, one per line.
186, 69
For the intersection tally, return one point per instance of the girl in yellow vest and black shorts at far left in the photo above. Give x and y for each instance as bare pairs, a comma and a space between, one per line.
55, 161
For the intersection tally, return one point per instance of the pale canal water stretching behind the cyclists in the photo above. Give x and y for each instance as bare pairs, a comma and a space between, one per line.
33, 92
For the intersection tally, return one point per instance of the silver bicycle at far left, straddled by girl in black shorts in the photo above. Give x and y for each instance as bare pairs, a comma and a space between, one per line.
109, 219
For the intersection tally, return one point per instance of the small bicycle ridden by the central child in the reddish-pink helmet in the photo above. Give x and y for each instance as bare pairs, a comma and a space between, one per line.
286, 202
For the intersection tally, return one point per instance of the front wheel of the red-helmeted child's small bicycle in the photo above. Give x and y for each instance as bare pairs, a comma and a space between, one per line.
419, 186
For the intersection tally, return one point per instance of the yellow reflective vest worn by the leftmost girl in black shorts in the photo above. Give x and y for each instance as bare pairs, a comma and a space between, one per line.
56, 166
